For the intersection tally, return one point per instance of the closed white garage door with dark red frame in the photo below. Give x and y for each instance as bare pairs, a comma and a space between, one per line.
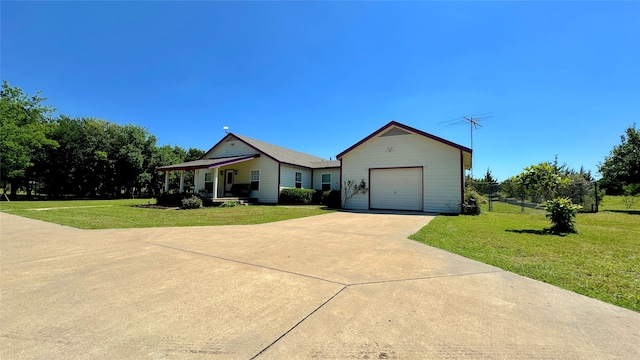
396, 189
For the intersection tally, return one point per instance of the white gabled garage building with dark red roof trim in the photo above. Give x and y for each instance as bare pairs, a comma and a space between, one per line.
404, 169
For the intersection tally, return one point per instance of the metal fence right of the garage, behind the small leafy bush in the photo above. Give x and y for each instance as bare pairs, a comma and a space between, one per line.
513, 198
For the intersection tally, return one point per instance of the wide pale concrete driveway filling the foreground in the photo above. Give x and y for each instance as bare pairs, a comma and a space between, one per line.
334, 286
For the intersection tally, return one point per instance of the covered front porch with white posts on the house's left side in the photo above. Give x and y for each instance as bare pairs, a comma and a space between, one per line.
215, 179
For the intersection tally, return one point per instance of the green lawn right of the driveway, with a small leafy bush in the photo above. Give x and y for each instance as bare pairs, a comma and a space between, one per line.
601, 261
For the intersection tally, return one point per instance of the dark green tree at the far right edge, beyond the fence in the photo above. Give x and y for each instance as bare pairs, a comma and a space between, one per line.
622, 167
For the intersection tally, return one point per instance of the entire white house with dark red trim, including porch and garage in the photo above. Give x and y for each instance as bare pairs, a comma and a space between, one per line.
402, 168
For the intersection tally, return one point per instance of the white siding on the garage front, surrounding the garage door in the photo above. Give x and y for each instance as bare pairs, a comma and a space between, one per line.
441, 164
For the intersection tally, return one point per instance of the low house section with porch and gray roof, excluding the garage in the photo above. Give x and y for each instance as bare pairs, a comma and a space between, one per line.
239, 164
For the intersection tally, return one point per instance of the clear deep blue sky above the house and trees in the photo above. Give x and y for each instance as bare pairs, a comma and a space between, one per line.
557, 77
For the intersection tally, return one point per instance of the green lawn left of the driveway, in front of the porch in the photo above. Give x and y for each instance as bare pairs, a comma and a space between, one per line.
109, 214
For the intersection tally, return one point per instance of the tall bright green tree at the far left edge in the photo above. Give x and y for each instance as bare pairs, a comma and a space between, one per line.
25, 127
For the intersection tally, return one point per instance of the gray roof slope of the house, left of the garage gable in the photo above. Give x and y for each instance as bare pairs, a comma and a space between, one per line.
288, 156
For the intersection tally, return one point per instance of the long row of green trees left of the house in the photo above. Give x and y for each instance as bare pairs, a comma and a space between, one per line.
83, 157
